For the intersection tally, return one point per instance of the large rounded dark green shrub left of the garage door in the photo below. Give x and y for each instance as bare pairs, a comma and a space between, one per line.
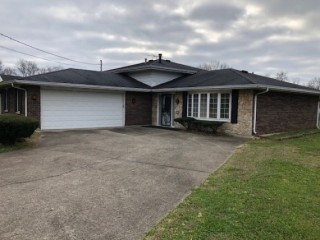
13, 127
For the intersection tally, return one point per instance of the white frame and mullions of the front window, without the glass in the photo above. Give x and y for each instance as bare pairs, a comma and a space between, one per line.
207, 118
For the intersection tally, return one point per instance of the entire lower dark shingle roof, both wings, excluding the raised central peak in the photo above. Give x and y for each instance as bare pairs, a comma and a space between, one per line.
218, 78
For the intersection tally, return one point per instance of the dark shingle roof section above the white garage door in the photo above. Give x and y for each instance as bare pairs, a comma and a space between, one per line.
86, 77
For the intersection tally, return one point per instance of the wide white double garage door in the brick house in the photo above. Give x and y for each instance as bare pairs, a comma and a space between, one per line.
61, 109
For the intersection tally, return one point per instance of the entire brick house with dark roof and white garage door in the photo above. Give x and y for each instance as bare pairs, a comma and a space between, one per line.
158, 91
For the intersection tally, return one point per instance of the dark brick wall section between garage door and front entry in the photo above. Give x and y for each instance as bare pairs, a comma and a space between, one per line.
138, 108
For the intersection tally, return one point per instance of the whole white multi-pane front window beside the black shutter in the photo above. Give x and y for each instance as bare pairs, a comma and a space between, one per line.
210, 106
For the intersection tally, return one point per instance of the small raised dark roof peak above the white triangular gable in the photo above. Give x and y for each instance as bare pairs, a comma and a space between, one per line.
155, 64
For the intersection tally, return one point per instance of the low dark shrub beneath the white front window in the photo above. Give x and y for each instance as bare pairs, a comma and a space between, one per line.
199, 125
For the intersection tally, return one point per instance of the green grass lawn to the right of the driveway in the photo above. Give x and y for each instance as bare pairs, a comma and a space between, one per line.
268, 189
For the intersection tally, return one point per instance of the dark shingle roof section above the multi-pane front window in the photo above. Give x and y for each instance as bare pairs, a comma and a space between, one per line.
226, 77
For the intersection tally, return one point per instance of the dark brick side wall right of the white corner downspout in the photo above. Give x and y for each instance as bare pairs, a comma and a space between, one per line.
278, 112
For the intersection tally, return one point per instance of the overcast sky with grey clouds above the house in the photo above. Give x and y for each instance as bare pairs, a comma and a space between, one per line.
264, 37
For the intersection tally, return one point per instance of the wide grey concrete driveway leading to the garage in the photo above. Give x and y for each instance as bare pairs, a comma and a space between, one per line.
103, 184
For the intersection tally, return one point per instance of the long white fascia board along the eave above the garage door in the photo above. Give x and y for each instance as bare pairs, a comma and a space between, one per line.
80, 86
